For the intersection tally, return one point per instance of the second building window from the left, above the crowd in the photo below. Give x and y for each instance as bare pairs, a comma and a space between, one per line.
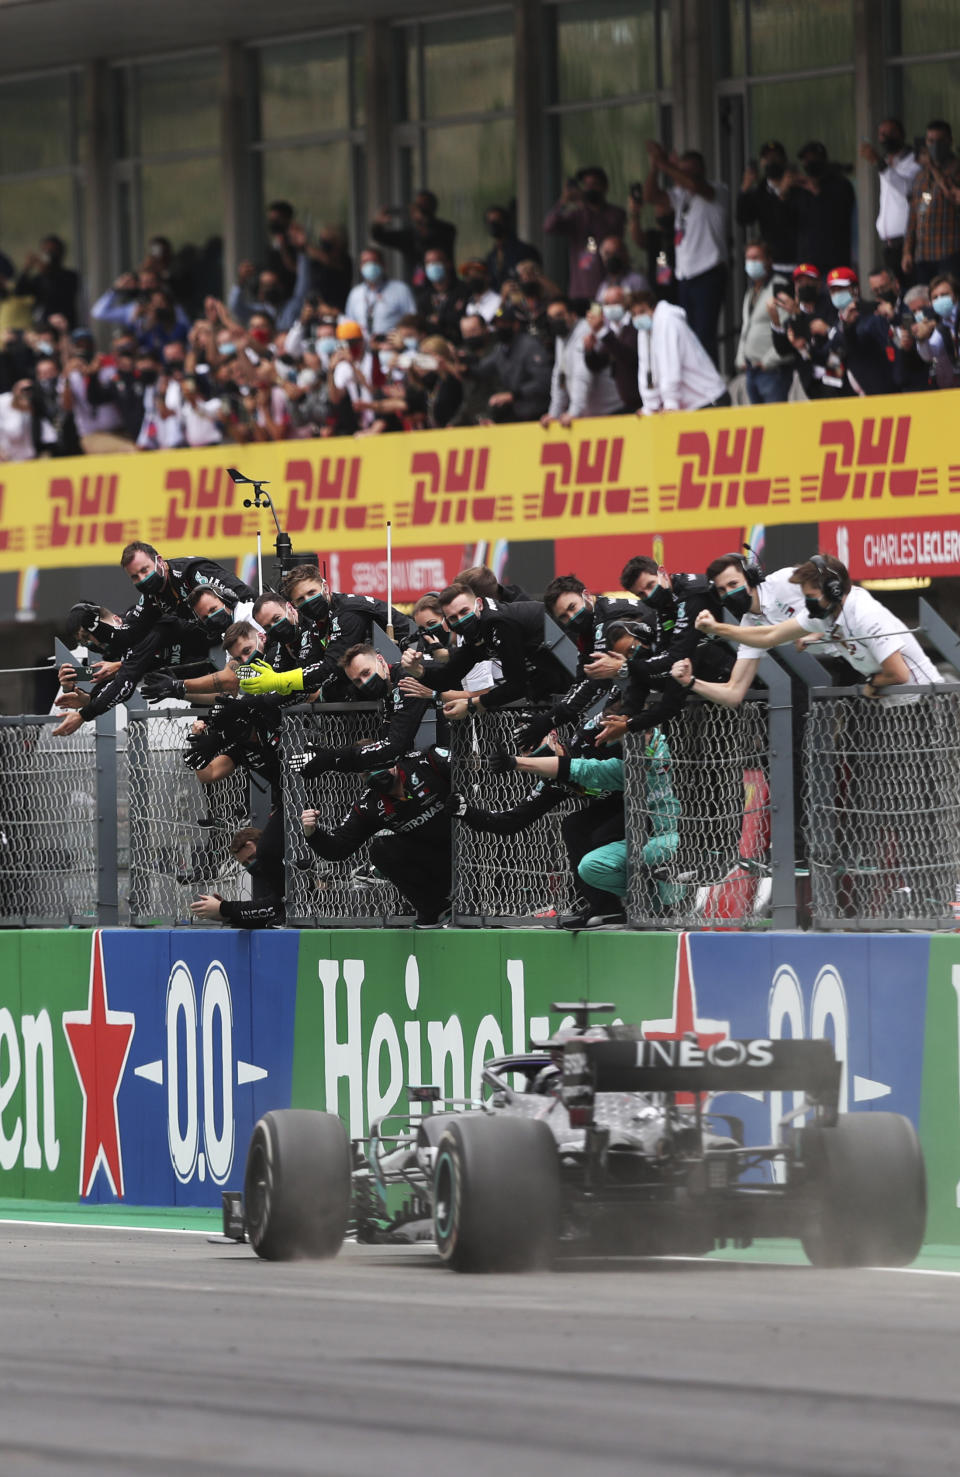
169, 172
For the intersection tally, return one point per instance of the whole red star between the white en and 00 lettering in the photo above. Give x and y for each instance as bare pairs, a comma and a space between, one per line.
100, 1044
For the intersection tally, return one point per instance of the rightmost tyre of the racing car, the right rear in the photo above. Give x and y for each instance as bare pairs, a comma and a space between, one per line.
869, 1185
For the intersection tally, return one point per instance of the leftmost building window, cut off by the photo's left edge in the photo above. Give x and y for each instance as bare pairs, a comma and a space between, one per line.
41, 166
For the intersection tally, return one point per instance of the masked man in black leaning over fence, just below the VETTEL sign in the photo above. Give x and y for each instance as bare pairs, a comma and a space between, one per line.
490, 631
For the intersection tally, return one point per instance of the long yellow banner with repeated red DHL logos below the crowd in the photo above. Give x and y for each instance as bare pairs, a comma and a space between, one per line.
866, 459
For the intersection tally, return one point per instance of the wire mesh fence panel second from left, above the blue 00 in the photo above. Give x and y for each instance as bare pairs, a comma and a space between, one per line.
178, 831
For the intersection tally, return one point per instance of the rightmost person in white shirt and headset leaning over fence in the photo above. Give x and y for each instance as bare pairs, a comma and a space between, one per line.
841, 620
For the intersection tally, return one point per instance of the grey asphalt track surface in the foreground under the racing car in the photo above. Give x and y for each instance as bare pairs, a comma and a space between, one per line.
157, 1352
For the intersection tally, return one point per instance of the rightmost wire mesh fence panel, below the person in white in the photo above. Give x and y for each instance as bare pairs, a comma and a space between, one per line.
882, 810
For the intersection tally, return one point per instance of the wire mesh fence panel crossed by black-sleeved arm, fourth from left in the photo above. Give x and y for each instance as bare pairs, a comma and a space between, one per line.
515, 880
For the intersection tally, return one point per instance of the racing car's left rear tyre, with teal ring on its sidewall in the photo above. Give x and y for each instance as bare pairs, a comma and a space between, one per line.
497, 1194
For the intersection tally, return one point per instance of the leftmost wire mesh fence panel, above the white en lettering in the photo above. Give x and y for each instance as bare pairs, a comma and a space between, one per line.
48, 825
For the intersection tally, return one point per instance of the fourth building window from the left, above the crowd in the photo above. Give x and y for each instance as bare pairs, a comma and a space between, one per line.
454, 88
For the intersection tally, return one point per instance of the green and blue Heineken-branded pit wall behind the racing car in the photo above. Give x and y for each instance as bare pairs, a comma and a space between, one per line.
135, 1064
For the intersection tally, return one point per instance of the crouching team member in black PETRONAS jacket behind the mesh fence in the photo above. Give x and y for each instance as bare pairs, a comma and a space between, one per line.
408, 801
